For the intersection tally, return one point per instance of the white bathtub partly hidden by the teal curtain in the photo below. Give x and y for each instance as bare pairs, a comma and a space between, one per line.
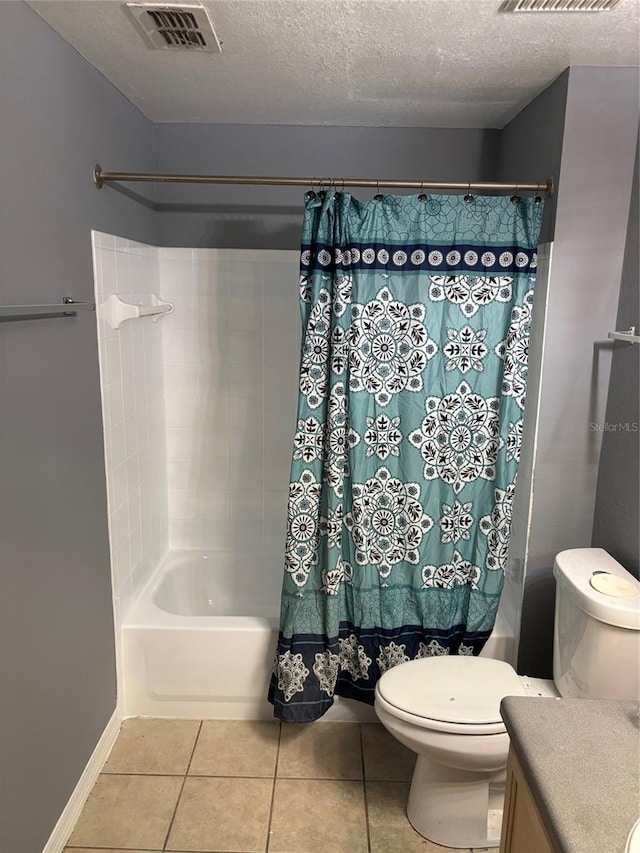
200, 641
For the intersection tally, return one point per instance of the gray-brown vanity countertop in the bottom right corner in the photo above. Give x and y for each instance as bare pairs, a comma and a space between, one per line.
581, 758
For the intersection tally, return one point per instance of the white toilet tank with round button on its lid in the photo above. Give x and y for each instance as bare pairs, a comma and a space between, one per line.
596, 641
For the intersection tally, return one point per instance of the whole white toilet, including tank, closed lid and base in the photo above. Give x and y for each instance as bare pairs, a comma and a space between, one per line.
447, 709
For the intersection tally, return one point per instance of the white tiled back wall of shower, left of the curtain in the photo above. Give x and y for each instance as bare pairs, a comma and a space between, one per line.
231, 354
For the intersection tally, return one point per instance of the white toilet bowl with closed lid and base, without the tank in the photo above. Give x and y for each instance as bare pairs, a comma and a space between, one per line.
447, 710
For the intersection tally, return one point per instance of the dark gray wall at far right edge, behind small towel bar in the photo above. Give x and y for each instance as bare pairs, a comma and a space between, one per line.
617, 512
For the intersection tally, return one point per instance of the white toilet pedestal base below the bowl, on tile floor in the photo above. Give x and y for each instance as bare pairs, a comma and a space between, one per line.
456, 808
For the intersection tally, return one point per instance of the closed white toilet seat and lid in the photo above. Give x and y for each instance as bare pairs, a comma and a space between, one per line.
457, 694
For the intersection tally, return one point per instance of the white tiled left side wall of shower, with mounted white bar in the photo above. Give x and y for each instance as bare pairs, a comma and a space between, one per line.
131, 384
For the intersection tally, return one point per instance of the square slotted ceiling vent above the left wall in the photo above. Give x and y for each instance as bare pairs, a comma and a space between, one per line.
172, 27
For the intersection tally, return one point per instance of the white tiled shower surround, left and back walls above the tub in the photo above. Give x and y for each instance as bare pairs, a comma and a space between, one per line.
199, 407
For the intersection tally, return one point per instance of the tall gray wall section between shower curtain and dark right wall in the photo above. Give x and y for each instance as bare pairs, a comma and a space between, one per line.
598, 142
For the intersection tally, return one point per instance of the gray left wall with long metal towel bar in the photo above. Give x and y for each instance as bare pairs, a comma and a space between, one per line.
57, 115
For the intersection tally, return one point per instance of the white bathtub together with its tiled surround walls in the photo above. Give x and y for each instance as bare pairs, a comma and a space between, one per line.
228, 376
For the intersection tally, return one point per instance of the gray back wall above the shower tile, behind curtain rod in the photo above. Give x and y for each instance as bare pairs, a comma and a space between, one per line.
270, 217
